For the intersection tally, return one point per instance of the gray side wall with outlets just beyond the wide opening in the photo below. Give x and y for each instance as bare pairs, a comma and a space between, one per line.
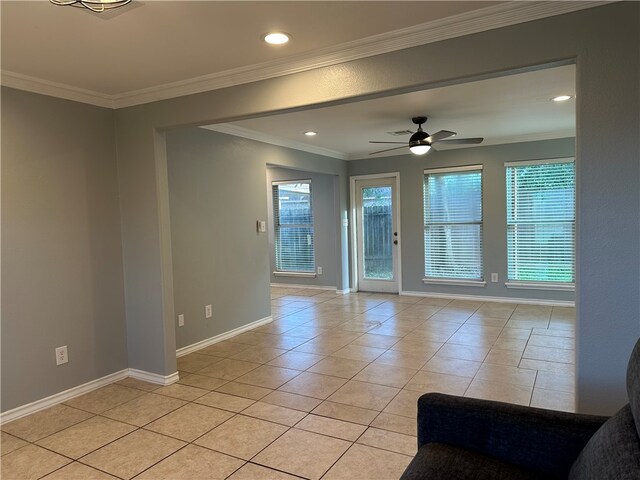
217, 192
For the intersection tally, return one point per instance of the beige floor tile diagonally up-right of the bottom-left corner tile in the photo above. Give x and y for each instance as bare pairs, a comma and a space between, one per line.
85, 437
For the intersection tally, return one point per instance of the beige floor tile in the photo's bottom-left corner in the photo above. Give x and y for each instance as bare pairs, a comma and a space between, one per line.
30, 462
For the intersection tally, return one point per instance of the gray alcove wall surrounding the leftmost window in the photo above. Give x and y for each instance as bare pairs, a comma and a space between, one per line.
324, 220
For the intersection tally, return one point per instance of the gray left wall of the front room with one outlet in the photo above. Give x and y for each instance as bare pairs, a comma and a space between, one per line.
61, 247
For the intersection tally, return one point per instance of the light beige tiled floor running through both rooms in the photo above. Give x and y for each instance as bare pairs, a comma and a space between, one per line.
327, 390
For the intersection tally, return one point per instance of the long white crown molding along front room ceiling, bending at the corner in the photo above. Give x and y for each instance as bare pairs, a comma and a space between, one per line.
489, 18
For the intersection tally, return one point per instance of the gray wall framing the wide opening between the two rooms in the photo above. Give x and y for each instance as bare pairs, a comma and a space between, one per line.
604, 41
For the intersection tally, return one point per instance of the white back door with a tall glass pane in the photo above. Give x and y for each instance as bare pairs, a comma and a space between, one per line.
376, 232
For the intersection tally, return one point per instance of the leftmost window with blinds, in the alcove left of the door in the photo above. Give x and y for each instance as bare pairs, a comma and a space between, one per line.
293, 219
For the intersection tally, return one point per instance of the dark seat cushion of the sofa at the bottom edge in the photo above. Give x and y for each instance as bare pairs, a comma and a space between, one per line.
437, 460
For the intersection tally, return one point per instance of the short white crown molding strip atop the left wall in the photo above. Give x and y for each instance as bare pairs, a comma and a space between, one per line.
53, 89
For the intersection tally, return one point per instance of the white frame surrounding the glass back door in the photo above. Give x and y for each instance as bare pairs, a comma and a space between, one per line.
353, 225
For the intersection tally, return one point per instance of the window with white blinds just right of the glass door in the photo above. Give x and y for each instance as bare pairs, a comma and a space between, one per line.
453, 224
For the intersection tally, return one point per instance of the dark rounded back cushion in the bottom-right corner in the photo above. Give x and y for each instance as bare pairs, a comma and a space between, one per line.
612, 453
